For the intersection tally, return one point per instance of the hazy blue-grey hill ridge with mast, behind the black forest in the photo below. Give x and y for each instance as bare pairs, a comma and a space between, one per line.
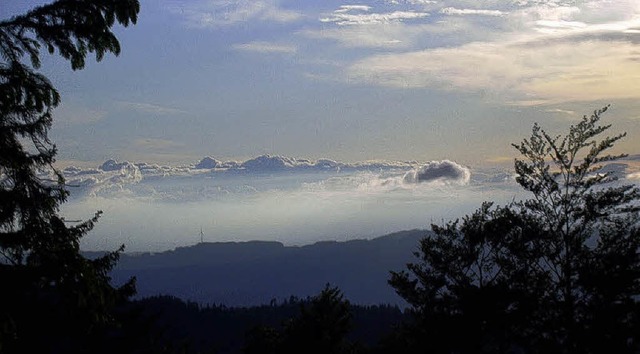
253, 273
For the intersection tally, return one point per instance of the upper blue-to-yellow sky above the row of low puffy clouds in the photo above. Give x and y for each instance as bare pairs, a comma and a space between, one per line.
379, 79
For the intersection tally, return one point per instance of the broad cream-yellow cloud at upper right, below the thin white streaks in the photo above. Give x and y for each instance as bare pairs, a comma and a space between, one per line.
539, 68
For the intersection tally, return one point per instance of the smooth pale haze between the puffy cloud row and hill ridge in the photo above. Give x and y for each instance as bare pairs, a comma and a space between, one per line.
295, 210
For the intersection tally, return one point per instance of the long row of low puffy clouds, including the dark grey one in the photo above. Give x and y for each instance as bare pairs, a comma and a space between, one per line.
139, 178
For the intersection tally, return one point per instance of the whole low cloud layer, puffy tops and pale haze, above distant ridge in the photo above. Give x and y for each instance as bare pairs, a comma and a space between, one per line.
296, 201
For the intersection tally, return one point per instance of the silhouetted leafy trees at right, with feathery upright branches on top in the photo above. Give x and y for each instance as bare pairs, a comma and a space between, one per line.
559, 272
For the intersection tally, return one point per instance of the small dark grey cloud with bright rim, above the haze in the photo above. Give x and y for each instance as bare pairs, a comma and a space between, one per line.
439, 171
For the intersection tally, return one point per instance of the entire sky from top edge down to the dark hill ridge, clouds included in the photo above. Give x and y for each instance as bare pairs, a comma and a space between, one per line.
438, 89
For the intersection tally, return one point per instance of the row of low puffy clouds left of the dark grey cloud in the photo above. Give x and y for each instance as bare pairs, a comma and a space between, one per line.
113, 178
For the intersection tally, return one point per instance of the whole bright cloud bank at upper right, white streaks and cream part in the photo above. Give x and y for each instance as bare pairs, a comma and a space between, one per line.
523, 52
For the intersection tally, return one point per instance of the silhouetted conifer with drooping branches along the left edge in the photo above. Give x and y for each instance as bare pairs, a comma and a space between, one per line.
53, 299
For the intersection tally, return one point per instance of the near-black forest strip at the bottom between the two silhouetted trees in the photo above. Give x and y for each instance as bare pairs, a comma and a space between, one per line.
325, 323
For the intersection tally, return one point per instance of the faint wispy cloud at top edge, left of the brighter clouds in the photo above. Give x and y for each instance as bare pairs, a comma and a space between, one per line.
220, 13
